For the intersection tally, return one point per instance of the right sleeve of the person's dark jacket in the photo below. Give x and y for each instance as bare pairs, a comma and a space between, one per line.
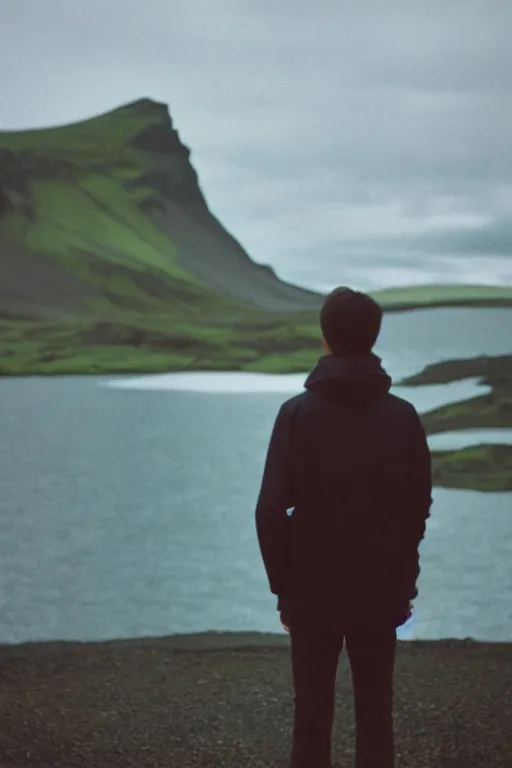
419, 501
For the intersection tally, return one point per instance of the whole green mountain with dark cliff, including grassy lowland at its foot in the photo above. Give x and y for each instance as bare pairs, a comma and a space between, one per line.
91, 278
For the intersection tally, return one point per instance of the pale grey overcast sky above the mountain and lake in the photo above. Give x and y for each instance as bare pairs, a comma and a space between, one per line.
362, 143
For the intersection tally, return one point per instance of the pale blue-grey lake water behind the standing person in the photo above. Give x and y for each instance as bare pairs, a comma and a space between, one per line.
127, 503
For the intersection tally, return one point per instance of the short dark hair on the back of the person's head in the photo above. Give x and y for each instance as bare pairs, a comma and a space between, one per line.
350, 322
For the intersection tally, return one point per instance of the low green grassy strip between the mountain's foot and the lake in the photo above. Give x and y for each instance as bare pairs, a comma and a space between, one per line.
134, 342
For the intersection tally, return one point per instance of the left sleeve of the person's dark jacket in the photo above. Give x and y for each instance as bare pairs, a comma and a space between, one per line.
275, 498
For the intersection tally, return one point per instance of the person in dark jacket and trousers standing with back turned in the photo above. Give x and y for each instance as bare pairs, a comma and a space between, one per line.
345, 495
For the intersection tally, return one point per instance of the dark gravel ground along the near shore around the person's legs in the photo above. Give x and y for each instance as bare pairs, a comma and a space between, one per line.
226, 701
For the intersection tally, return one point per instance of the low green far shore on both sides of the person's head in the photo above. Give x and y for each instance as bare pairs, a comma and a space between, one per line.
224, 339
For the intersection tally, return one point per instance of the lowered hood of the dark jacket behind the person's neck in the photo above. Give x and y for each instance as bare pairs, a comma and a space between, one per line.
357, 380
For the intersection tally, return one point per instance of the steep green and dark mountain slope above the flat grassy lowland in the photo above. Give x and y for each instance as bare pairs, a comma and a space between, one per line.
113, 210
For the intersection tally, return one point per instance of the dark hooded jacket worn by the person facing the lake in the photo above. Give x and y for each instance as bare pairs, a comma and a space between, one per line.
351, 464
